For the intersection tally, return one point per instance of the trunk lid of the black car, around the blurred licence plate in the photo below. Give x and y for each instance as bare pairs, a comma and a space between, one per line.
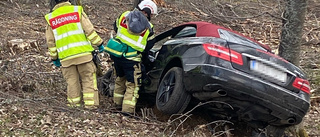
265, 65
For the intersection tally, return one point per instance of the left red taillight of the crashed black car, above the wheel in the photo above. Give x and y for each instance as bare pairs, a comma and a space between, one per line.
223, 53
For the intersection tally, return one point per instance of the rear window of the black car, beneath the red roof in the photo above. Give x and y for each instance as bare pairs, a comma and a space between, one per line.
235, 38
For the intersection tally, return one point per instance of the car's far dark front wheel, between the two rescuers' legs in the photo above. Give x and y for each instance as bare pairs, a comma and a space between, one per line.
106, 84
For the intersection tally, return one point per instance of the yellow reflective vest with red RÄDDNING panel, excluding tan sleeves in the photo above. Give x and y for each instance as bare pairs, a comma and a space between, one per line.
70, 38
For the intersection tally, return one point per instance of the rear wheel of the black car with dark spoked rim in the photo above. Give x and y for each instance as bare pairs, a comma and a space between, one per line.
171, 96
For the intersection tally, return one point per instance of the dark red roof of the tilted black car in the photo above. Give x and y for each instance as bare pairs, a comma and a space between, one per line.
203, 27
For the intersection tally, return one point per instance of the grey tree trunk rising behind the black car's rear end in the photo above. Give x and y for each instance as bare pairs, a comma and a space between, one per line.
293, 19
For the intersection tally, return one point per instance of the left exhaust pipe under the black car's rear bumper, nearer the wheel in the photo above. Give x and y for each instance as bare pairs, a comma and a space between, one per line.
209, 95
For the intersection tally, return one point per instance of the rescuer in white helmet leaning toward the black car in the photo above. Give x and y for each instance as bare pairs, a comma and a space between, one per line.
128, 52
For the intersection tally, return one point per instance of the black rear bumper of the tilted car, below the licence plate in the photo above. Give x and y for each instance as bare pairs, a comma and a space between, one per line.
251, 98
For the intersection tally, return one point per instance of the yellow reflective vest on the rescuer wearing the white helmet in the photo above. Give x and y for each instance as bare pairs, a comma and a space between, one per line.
136, 42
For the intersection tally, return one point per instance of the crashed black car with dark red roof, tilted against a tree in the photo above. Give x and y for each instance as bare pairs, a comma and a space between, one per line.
208, 62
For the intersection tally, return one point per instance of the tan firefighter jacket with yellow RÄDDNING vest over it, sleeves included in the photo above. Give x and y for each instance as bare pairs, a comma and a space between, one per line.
70, 35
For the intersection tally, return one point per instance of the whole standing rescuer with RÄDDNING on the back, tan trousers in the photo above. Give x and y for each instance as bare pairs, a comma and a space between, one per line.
71, 38
